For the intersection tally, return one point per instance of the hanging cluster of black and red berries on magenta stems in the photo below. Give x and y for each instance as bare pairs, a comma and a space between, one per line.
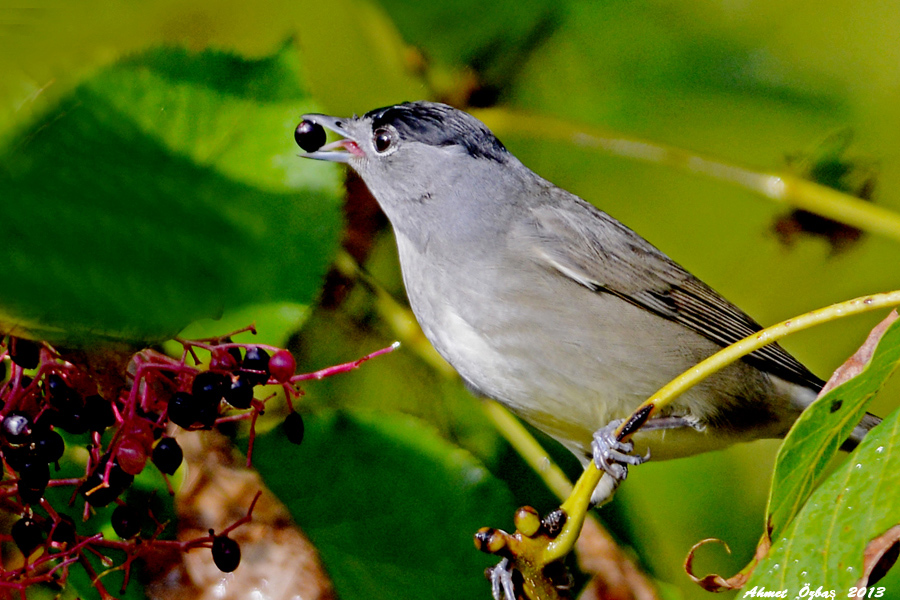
122, 421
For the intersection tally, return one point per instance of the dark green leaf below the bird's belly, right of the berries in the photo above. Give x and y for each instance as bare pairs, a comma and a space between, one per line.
390, 507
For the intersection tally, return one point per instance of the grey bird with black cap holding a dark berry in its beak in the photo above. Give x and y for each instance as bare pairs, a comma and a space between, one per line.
550, 306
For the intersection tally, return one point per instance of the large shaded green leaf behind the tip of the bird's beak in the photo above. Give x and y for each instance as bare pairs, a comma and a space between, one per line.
164, 190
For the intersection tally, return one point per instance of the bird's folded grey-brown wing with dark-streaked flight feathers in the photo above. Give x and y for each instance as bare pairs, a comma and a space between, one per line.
589, 246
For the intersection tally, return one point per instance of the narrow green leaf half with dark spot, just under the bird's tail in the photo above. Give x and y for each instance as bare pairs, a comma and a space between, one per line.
817, 435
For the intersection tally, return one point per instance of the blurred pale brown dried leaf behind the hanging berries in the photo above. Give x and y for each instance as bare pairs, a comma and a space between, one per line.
277, 561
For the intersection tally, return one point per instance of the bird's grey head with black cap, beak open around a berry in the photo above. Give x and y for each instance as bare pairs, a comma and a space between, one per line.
408, 153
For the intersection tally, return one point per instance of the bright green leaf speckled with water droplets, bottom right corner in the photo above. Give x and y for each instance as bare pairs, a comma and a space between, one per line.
824, 544
